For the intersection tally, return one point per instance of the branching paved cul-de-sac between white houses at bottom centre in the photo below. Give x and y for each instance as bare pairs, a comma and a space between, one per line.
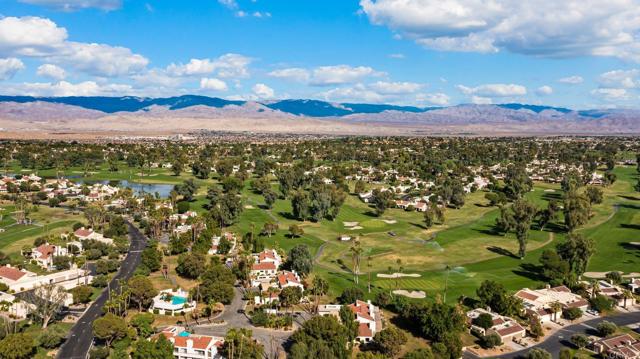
273, 340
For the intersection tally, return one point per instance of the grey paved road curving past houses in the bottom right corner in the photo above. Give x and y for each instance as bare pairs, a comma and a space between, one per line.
562, 337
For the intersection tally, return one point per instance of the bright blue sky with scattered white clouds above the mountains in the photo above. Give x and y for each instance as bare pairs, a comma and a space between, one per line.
578, 53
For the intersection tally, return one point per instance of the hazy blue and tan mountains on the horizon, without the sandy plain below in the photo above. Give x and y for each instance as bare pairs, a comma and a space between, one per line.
462, 118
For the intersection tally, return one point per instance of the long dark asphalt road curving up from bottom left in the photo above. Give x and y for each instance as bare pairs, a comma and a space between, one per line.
81, 336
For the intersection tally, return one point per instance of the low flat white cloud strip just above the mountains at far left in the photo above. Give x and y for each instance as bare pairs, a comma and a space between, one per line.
64, 88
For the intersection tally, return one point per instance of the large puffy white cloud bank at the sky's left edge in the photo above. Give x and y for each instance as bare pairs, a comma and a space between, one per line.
42, 38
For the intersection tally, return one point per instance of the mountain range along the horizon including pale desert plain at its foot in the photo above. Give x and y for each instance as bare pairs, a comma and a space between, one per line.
192, 112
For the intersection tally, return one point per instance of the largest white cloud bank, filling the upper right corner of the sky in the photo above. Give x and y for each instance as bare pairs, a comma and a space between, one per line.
536, 27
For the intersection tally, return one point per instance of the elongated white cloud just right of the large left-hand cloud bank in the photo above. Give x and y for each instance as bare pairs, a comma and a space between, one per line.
226, 66
